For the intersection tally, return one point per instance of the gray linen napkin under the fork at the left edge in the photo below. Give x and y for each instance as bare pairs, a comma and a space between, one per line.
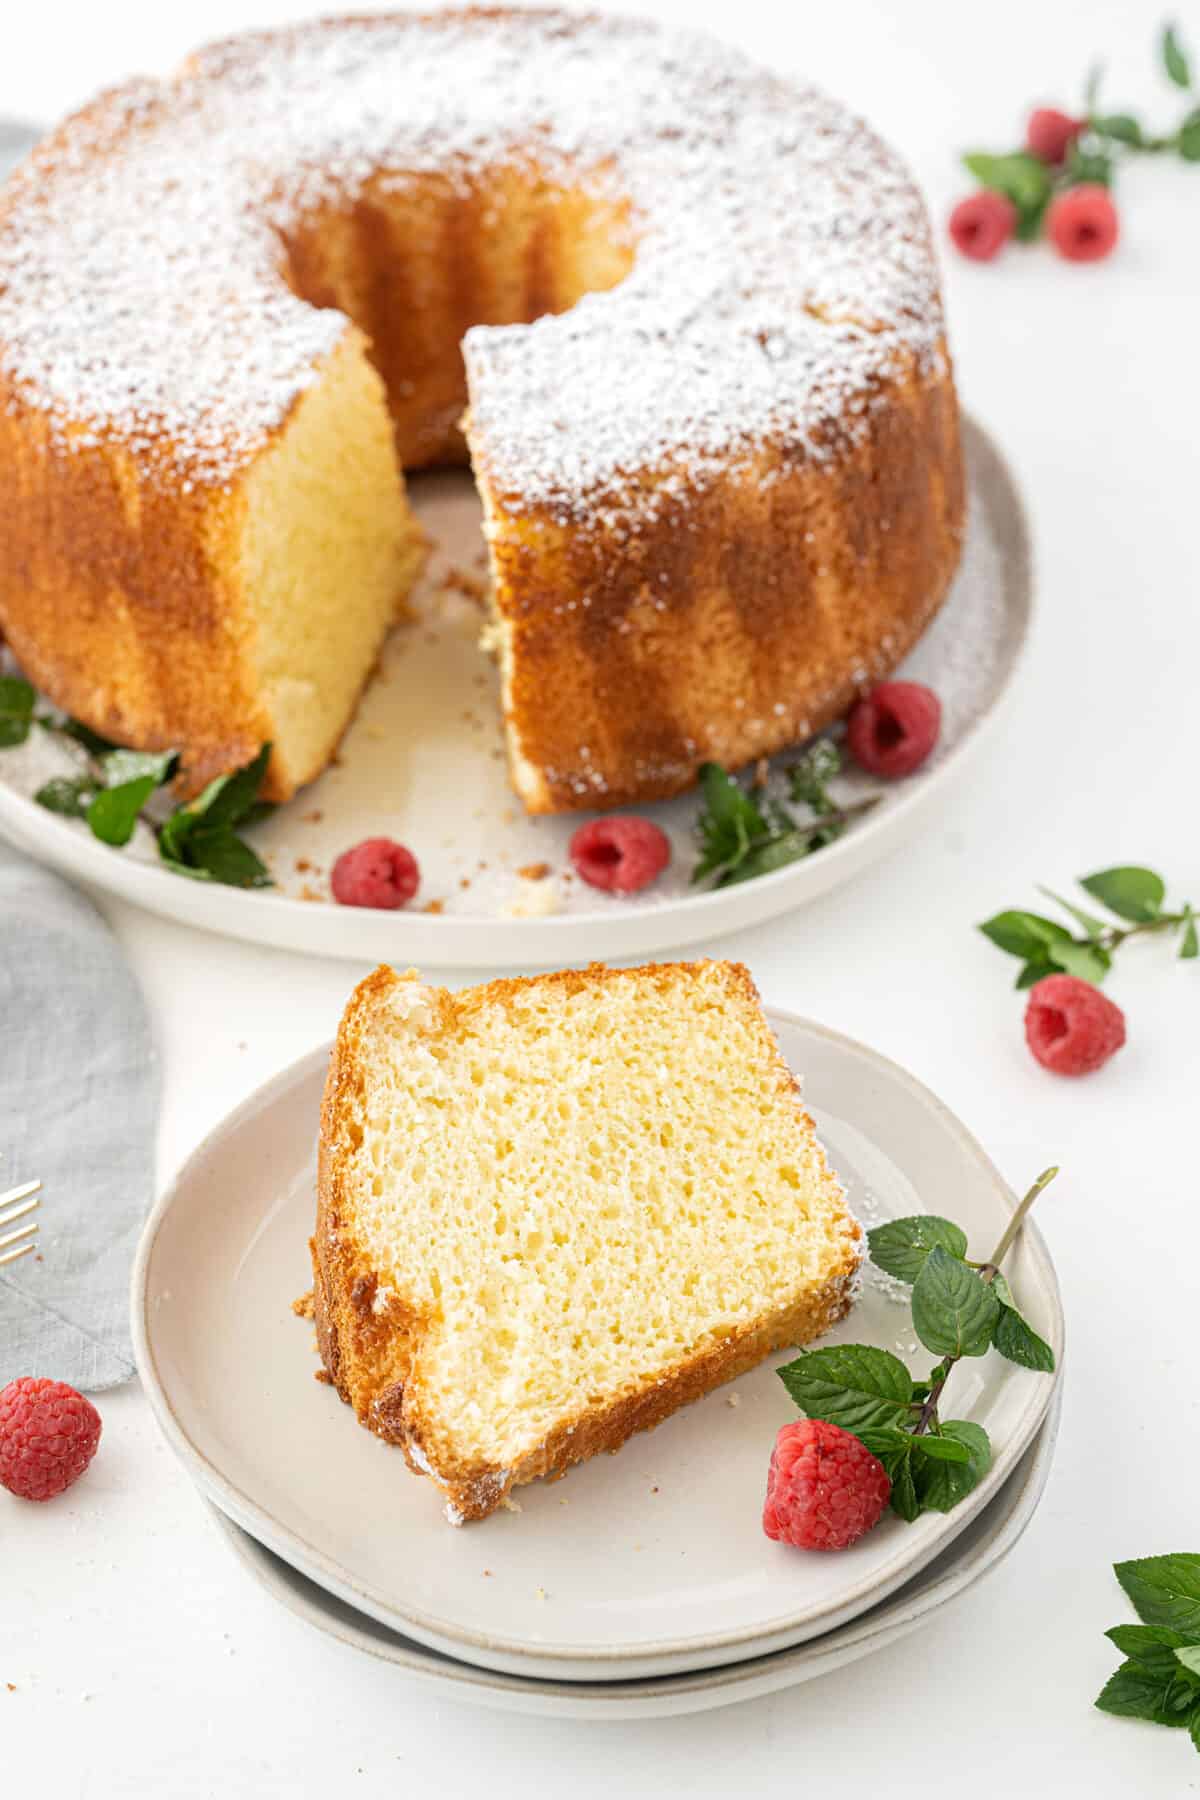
78, 1111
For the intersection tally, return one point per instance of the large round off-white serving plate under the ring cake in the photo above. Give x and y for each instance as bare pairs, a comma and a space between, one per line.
424, 764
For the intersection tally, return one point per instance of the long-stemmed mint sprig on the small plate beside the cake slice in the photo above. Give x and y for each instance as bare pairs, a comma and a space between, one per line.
960, 1309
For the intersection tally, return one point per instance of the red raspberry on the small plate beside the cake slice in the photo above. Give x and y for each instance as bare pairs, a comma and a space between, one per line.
825, 1489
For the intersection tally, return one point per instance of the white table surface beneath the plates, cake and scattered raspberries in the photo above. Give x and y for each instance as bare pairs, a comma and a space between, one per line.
143, 1660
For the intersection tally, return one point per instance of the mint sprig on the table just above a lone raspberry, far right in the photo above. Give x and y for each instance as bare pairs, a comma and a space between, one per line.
1134, 895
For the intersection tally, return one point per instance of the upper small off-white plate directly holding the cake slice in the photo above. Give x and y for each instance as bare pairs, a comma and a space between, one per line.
647, 1563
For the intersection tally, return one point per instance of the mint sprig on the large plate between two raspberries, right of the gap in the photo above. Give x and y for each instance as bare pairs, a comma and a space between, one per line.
742, 838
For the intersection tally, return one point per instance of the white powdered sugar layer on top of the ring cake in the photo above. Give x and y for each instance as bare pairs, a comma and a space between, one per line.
784, 262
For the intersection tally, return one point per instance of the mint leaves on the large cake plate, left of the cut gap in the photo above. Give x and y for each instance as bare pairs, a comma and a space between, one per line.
199, 840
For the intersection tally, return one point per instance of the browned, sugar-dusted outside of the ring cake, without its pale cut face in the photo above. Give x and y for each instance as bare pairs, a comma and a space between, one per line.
722, 498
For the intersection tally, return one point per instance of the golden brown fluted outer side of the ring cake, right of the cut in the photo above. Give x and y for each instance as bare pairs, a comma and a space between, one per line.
785, 602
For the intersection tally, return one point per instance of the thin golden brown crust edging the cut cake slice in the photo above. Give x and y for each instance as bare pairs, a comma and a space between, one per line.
368, 1347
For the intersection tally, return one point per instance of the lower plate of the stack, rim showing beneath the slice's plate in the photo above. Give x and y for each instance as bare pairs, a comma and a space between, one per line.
974, 1554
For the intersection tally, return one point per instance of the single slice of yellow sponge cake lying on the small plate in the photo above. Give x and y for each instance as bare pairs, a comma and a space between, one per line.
555, 1210
